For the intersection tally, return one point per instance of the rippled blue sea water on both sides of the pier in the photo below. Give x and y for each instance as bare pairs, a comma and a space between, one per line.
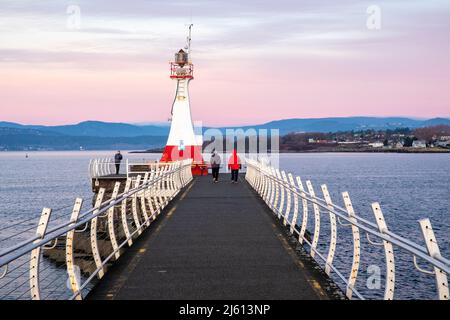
409, 187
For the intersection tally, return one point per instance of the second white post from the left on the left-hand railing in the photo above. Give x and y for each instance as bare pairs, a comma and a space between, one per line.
73, 278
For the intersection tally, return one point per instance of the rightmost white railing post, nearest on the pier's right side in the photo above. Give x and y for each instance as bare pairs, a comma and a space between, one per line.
433, 251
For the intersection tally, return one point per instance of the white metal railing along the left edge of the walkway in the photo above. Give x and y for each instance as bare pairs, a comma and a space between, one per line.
160, 185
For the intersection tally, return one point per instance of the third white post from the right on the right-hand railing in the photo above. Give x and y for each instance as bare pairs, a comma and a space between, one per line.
356, 245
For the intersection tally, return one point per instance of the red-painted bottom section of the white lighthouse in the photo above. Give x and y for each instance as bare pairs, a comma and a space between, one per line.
173, 153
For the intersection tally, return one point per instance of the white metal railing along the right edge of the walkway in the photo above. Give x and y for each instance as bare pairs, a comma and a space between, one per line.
264, 180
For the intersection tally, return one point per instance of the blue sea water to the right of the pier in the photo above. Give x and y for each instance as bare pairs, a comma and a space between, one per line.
408, 187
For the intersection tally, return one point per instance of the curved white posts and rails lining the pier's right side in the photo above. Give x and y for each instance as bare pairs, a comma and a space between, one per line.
283, 193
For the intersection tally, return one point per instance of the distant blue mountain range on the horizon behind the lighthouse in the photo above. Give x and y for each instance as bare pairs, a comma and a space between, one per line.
107, 135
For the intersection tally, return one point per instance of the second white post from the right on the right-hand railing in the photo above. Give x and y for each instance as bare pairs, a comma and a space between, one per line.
389, 252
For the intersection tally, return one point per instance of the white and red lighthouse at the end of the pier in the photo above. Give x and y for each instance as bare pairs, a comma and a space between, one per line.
182, 142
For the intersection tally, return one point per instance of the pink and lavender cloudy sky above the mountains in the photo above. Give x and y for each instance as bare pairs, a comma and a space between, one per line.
255, 61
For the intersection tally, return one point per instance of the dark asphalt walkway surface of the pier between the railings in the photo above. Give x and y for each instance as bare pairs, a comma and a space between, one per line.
216, 241
